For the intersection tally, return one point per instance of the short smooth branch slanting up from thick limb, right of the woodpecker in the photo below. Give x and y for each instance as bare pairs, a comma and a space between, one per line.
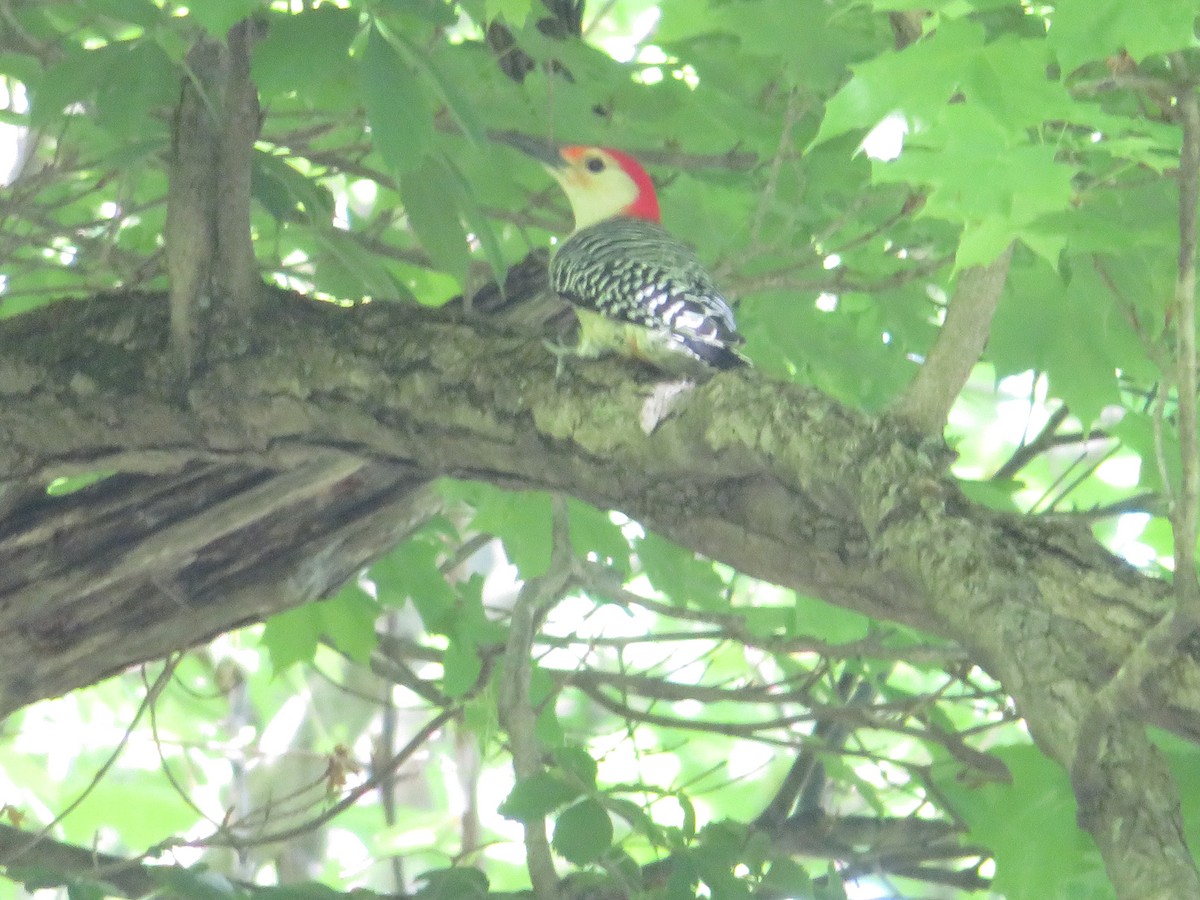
927, 403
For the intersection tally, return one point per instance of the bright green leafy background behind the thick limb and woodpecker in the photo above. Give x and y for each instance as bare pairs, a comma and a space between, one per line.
367, 741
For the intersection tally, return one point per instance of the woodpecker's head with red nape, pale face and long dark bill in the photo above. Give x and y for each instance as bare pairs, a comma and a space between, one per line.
601, 183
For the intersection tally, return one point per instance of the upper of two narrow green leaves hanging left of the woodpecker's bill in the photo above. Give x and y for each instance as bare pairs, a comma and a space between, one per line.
398, 111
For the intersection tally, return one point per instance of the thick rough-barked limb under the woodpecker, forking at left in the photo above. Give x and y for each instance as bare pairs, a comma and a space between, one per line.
299, 461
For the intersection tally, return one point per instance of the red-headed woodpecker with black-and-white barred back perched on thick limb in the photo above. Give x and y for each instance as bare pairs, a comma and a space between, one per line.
637, 291
